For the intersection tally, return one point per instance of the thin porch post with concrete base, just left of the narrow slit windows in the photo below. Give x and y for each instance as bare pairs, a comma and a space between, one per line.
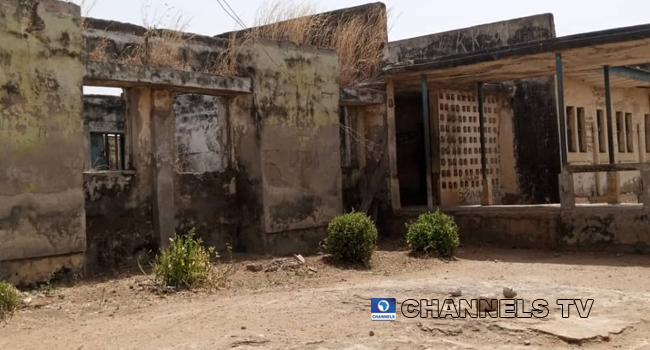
567, 193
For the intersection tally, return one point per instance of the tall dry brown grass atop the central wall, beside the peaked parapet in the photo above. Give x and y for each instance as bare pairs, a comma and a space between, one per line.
358, 39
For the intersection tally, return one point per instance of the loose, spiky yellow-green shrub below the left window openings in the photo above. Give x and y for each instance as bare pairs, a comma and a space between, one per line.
185, 263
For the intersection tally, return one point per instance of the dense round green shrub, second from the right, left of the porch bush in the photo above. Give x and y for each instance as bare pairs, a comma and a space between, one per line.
351, 237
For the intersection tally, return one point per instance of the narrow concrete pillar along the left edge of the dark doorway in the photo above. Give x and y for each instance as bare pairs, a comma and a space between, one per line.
392, 144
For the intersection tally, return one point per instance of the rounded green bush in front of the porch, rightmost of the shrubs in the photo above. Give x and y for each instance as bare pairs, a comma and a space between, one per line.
434, 232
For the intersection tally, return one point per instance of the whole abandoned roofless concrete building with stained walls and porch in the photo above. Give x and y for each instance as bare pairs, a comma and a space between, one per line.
528, 139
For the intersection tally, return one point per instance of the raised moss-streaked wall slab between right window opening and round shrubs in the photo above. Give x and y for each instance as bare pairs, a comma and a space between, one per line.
298, 94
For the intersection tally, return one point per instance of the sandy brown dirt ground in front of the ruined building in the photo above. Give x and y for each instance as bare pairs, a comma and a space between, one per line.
320, 305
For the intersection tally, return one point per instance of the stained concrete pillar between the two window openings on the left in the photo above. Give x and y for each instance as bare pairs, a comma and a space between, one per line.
163, 130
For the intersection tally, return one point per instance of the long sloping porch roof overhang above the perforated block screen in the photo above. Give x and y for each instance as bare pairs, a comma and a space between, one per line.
581, 53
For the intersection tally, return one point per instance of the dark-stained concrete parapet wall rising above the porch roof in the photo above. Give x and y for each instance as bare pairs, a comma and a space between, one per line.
478, 38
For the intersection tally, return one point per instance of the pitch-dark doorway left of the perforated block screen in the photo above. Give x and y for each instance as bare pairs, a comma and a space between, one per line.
411, 163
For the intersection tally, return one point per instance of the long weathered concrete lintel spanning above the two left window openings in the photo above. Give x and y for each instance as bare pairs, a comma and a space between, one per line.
119, 75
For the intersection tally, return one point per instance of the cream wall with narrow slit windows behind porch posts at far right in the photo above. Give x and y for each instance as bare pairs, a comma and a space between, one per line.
593, 186
